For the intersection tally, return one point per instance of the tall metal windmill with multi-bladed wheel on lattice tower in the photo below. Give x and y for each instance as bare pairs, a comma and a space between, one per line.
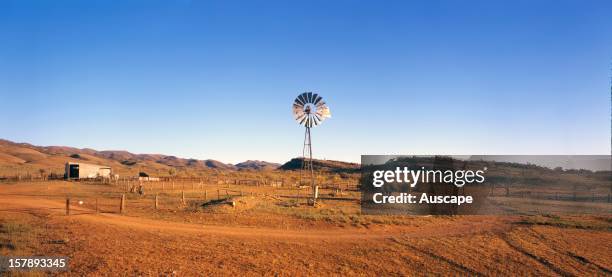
309, 110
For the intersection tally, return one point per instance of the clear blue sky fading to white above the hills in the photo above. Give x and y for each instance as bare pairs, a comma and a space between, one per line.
216, 79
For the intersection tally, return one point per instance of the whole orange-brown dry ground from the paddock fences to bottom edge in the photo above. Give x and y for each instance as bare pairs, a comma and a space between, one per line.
268, 234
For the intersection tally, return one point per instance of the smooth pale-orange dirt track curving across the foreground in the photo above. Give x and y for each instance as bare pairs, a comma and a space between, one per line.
57, 208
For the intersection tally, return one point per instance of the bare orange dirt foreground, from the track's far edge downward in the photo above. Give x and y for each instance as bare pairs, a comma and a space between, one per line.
114, 244
